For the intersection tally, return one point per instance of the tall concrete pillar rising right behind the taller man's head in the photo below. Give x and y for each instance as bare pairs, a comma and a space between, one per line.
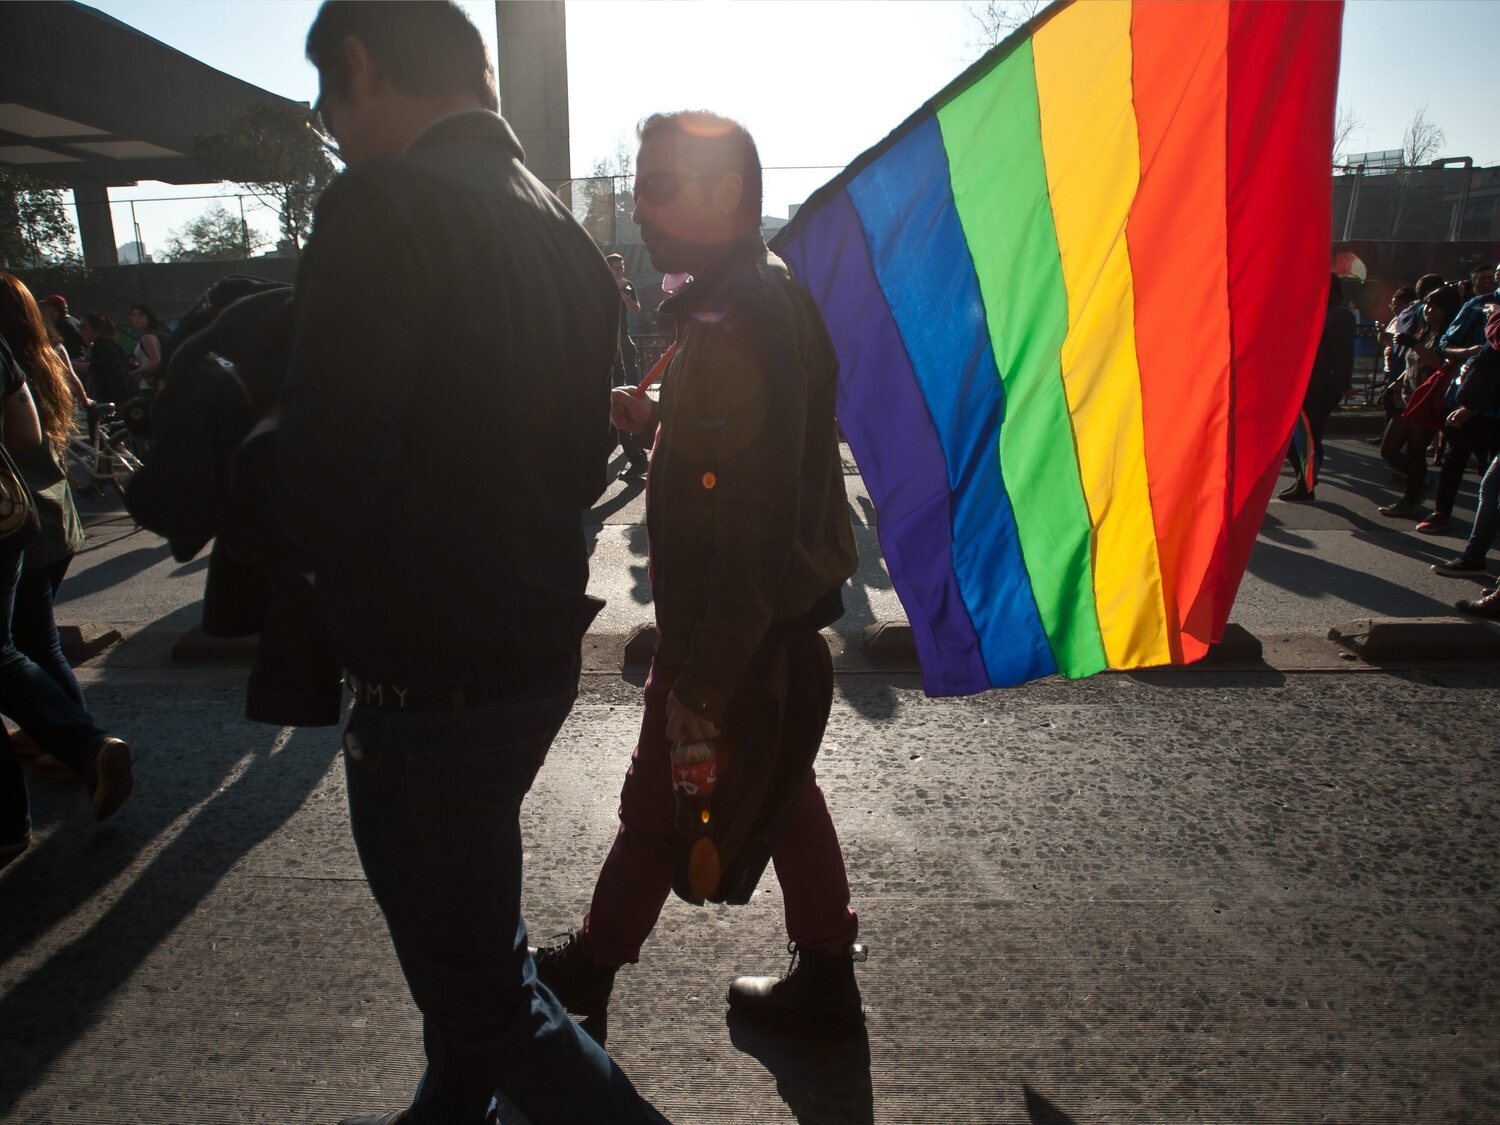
533, 83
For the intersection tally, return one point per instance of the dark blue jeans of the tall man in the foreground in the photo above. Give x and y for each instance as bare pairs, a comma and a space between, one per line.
434, 806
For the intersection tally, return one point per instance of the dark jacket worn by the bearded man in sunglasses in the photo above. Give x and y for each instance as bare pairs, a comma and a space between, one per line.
748, 512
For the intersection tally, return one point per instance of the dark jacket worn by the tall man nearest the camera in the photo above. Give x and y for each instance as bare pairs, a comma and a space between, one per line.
446, 418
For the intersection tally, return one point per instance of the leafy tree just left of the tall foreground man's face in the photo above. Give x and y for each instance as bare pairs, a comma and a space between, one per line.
272, 154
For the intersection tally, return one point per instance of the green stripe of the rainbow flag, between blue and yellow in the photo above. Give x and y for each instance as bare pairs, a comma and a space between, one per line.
992, 133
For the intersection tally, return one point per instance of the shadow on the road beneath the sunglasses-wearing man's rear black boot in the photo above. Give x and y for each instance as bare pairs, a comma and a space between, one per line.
823, 1081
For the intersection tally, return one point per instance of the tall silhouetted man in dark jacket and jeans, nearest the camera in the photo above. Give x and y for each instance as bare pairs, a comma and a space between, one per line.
451, 568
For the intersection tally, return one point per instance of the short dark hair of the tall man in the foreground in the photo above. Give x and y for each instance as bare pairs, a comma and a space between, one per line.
422, 47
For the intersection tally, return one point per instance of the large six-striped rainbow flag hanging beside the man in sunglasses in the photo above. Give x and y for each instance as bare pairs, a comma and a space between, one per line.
1076, 301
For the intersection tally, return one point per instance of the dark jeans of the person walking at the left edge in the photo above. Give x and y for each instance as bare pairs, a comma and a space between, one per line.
35, 701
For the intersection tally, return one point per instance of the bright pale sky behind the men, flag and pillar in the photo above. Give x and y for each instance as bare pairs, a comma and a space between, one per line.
818, 82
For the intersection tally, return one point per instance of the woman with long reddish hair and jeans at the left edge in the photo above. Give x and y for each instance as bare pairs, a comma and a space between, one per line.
38, 688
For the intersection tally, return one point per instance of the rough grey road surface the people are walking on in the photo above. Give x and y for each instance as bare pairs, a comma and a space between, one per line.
1258, 896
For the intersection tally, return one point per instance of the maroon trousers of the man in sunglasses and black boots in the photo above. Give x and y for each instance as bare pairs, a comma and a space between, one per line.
638, 872
